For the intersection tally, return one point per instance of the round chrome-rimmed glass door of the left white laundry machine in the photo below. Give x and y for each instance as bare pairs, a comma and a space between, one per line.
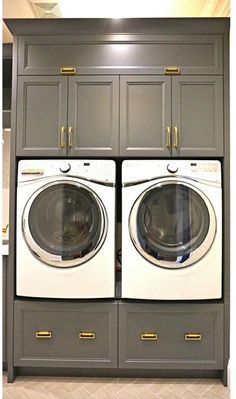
64, 223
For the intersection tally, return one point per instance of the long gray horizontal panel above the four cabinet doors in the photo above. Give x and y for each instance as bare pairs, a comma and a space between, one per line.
193, 54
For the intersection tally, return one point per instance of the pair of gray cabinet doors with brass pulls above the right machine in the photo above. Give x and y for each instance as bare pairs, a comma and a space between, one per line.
171, 116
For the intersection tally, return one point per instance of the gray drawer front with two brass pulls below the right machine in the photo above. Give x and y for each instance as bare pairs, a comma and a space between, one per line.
170, 336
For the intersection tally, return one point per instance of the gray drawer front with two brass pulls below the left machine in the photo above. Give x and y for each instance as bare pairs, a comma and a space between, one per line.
79, 335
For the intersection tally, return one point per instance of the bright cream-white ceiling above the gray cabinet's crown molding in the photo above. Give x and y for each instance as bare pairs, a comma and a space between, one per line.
119, 9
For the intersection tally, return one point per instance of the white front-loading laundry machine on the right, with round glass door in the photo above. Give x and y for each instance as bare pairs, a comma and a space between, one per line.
171, 229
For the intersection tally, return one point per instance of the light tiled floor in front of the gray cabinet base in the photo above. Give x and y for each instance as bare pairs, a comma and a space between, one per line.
113, 388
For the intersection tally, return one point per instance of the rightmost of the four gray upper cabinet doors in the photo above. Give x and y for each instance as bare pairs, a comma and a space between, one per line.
197, 115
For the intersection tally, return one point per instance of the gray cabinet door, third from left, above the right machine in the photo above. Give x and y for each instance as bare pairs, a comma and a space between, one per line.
145, 115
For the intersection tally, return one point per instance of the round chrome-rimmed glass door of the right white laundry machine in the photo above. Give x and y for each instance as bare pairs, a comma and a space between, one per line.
172, 224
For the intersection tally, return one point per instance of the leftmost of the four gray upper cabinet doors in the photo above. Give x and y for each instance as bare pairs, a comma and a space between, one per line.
41, 113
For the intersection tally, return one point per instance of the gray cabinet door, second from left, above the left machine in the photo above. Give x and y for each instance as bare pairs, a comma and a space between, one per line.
93, 115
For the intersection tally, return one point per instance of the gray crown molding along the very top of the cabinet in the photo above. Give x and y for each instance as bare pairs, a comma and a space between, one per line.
72, 26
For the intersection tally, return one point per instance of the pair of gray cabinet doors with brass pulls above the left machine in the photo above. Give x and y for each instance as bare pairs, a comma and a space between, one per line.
61, 115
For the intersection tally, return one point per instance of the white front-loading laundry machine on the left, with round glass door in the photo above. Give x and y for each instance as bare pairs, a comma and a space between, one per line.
65, 229
